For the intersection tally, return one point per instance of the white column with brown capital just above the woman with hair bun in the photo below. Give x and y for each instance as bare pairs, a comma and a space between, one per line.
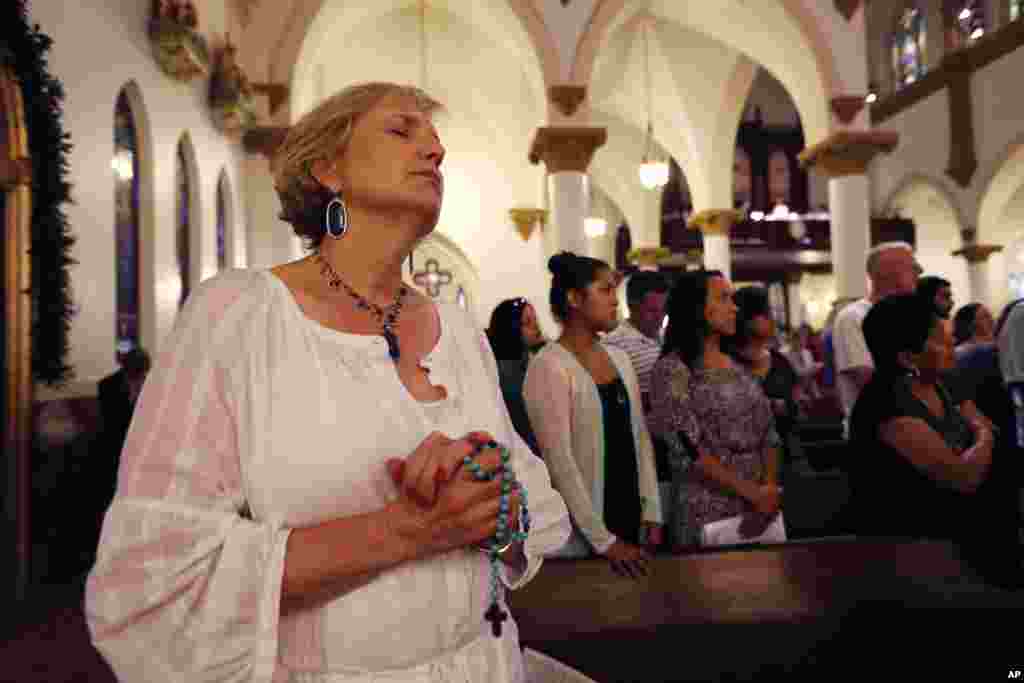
567, 152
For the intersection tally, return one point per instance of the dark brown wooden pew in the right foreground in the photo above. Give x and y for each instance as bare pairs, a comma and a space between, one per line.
827, 608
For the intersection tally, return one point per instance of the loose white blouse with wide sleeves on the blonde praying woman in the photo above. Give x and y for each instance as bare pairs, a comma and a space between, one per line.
257, 411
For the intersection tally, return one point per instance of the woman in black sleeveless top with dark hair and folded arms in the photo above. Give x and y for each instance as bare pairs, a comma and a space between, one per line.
915, 460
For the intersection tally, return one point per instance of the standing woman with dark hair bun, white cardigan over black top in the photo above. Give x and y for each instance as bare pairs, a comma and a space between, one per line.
584, 403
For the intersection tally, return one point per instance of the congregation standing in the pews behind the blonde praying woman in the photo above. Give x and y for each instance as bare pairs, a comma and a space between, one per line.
932, 441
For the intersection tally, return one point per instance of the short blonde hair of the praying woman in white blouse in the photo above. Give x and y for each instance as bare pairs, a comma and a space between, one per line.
323, 135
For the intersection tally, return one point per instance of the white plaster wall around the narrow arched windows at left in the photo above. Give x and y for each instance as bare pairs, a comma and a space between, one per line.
99, 48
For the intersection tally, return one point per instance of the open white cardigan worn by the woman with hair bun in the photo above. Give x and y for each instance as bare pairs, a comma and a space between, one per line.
565, 410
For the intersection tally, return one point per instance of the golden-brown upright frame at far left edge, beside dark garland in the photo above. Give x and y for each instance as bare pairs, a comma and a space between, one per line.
16, 177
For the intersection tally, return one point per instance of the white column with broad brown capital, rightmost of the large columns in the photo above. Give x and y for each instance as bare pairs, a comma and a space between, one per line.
844, 158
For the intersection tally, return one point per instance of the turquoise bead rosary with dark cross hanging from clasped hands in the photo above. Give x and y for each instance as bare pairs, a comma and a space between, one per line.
505, 537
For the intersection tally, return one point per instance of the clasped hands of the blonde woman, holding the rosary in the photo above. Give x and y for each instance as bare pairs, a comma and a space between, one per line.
441, 505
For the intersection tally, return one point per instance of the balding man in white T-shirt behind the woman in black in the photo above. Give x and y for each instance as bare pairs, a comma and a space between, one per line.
891, 270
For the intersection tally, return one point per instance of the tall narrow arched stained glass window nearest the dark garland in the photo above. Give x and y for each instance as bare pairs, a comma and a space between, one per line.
125, 166
